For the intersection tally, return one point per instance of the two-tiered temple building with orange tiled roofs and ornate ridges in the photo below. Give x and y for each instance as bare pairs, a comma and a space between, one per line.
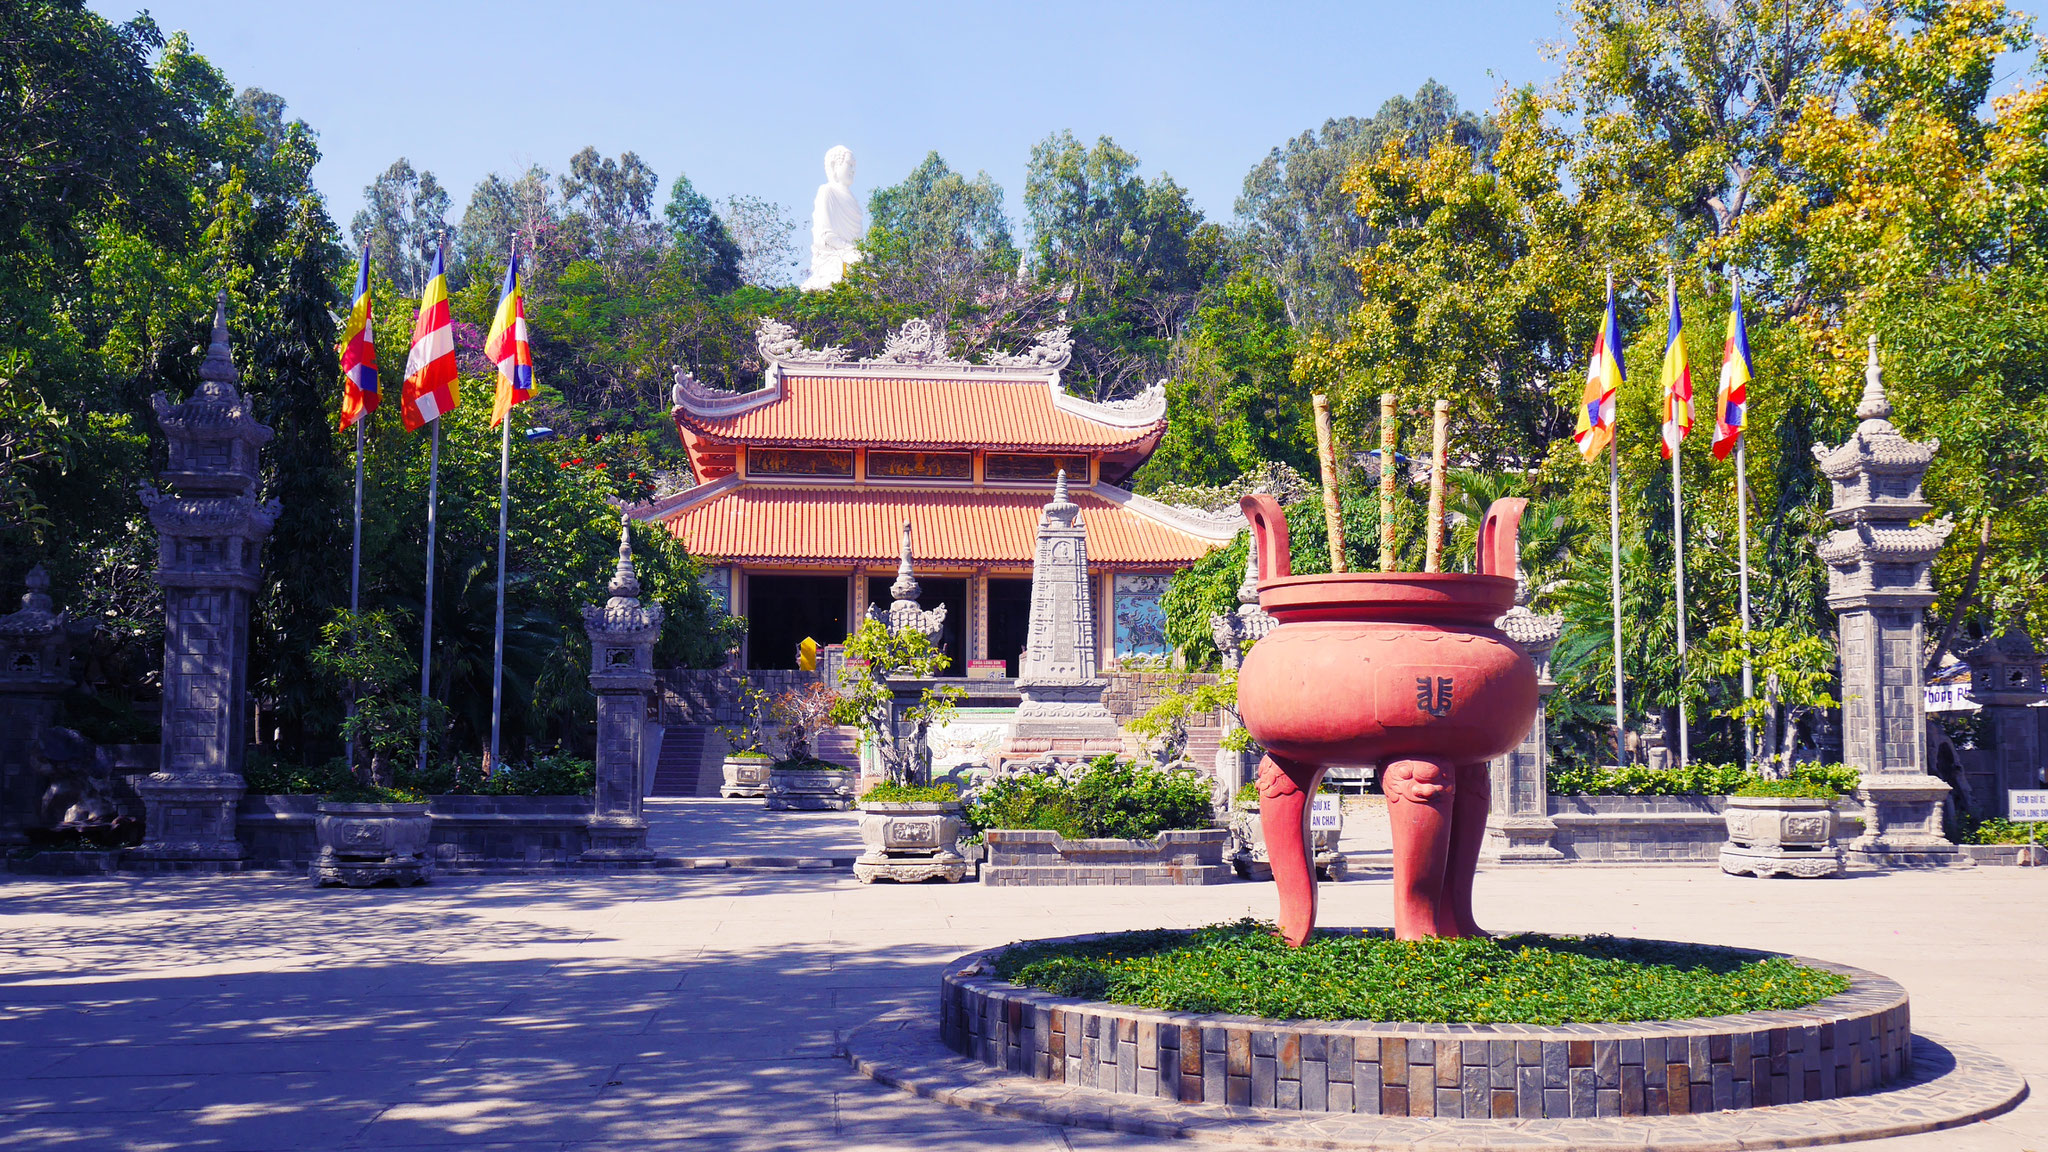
804, 489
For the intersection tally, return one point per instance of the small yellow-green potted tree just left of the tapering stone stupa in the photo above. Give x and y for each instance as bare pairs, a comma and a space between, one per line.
865, 700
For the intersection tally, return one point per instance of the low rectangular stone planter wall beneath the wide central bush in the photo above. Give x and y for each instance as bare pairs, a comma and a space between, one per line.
1033, 858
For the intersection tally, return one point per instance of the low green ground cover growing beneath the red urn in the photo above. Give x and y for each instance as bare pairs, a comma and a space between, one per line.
1244, 969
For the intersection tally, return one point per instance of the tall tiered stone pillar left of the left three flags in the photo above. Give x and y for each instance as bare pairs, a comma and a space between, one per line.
212, 532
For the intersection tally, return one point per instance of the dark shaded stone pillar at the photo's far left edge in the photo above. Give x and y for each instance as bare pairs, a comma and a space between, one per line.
36, 671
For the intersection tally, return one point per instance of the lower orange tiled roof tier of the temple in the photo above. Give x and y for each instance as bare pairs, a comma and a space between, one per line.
835, 526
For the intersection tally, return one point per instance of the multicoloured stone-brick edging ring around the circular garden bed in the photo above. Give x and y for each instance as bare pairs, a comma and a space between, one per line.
1846, 1044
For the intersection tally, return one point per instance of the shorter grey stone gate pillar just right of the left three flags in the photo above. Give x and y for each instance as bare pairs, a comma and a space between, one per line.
622, 671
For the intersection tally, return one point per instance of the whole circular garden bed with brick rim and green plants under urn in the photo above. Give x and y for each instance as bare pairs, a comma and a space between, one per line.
1494, 1028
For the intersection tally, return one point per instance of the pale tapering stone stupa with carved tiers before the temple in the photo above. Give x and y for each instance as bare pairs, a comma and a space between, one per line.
1062, 716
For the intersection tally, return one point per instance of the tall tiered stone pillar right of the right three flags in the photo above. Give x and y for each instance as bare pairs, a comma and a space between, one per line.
1881, 585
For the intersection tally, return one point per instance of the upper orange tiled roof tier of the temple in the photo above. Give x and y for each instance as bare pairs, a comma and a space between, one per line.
919, 413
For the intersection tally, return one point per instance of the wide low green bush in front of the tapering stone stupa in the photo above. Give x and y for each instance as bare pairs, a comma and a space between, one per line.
1105, 798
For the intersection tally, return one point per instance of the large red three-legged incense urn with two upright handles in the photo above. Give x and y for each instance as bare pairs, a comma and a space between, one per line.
1394, 669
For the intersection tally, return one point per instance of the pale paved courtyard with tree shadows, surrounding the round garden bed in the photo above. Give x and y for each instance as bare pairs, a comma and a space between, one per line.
706, 1010
